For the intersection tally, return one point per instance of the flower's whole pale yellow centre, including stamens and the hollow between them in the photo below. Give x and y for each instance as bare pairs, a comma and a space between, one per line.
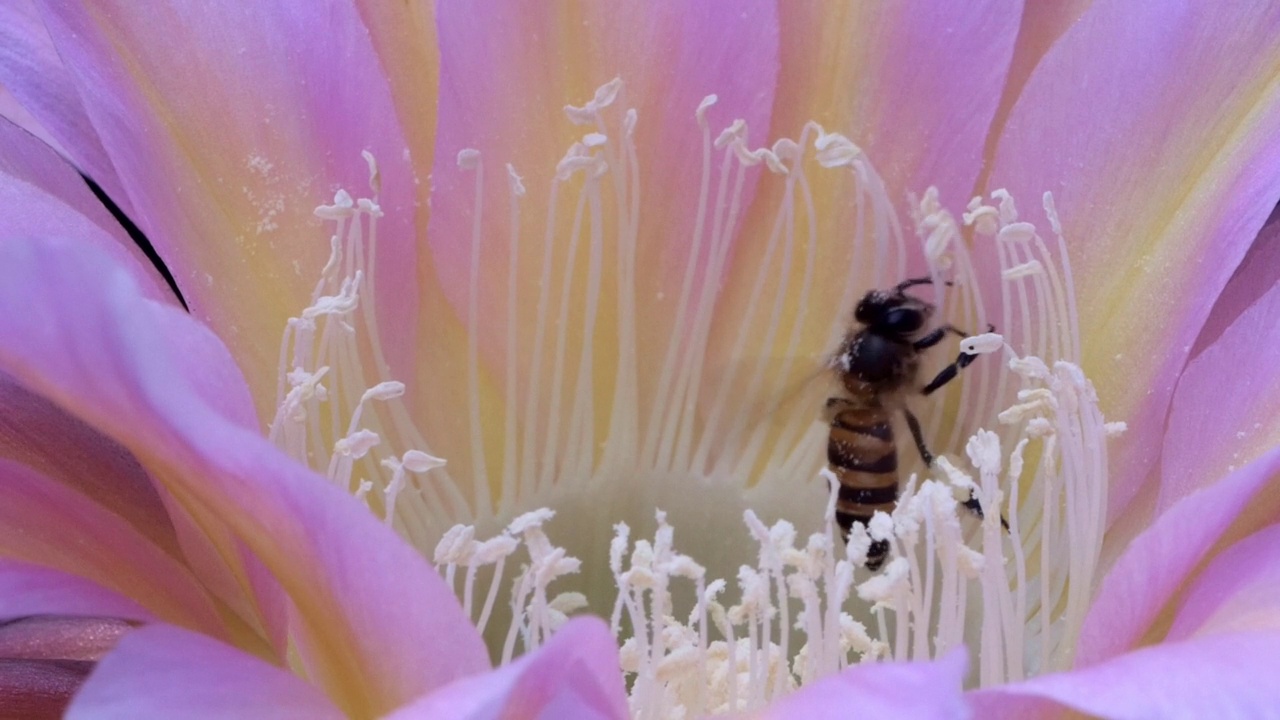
998, 552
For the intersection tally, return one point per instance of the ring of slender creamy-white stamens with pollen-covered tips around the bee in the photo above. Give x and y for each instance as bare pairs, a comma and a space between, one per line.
1012, 585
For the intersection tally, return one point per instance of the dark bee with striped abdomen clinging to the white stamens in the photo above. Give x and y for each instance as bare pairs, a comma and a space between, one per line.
877, 366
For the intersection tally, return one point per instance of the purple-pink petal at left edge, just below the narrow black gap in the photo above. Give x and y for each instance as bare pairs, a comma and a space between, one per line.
45, 197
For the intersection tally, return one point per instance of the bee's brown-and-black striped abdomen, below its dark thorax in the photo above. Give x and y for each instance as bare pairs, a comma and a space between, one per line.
865, 458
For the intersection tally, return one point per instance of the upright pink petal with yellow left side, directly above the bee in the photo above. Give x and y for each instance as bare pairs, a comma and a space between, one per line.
886, 75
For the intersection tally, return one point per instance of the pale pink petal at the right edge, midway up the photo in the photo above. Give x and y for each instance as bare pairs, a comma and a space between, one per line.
1224, 411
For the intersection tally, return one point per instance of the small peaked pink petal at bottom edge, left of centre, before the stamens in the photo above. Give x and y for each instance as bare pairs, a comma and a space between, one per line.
574, 676
